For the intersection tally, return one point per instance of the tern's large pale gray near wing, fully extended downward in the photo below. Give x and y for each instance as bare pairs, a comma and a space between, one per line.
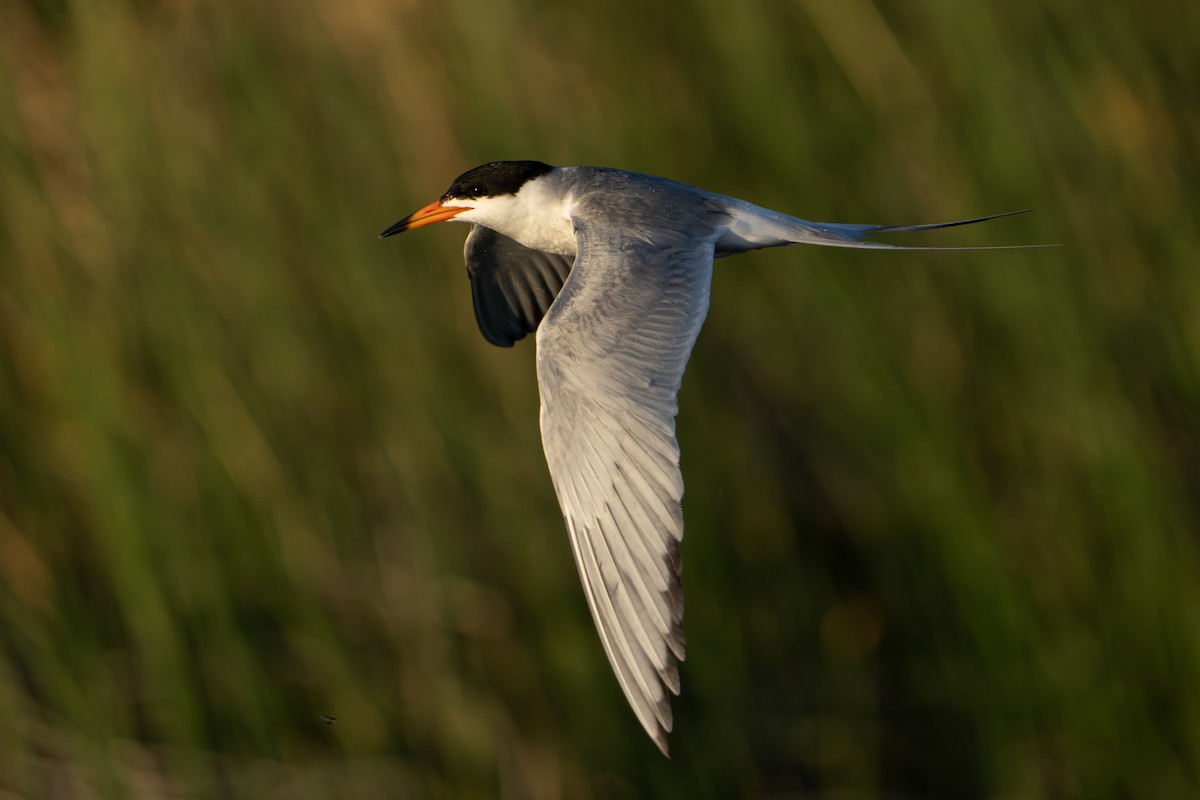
611, 356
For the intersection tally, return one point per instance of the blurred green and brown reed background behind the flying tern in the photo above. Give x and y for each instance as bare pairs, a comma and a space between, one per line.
259, 470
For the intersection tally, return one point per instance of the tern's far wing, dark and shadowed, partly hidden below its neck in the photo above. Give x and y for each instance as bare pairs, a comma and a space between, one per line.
512, 286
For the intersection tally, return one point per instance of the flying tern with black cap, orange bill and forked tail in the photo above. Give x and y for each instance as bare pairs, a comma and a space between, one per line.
614, 269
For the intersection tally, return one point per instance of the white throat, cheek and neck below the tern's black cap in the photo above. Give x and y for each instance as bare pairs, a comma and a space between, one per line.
538, 215
